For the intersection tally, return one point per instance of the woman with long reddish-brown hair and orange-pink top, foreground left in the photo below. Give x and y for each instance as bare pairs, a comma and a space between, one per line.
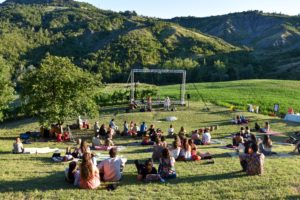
89, 173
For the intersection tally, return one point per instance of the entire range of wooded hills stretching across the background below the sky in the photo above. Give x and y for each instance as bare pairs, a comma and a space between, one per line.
243, 45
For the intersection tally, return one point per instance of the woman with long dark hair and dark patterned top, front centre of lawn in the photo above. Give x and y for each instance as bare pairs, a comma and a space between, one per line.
166, 167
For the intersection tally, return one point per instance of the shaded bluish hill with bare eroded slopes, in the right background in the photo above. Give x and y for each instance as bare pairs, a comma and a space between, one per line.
274, 38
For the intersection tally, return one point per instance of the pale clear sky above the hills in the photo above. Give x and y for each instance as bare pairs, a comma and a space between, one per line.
172, 8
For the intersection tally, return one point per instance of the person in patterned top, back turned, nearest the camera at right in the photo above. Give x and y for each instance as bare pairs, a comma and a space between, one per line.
252, 162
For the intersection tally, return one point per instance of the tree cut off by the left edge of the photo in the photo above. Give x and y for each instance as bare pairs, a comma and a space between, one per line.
6, 89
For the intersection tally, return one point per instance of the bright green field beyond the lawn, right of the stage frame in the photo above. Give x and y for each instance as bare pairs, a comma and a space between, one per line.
264, 93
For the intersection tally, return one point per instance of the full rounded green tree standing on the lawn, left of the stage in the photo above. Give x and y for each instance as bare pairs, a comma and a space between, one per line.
58, 90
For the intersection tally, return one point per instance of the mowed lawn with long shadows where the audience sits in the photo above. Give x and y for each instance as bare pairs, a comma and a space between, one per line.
37, 177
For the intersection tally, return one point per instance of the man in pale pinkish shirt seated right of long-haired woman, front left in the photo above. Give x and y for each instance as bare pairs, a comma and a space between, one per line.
111, 169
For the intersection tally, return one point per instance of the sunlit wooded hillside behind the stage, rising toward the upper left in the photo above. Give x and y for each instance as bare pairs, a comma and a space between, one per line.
103, 42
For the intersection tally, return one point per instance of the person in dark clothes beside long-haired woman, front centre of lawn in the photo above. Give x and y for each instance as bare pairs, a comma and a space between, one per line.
147, 172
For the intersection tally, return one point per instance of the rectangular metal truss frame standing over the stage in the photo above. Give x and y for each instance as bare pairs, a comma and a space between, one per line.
161, 71
